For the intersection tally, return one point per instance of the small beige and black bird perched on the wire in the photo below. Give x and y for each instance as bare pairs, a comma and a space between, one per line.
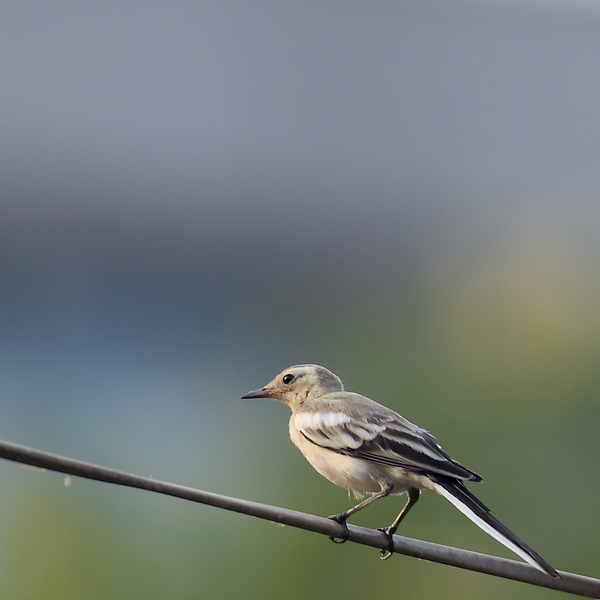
365, 447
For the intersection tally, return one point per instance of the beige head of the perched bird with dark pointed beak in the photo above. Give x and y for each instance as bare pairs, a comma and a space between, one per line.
295, 385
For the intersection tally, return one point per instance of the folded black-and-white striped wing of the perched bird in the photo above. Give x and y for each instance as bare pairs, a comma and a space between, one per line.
377, 434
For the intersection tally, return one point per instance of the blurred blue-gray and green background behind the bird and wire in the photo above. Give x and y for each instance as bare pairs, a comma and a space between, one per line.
195, 195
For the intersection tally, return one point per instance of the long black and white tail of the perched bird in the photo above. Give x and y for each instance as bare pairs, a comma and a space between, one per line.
454, 491
